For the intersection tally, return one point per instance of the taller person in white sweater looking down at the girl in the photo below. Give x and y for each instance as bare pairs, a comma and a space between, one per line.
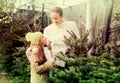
58, 30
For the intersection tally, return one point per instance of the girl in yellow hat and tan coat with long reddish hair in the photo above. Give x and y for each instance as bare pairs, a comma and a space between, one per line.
35, 54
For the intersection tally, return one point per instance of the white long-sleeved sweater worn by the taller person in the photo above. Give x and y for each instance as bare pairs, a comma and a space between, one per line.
56, 35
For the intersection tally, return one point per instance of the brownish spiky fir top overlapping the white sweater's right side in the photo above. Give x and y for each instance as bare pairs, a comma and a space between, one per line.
77, 46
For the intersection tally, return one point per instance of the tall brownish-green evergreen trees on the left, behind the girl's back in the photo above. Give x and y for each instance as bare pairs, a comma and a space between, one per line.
13, 46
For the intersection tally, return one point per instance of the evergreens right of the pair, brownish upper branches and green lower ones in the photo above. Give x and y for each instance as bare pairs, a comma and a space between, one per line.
99, 68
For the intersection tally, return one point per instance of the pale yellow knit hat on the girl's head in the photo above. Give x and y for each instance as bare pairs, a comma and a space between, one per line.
33, 37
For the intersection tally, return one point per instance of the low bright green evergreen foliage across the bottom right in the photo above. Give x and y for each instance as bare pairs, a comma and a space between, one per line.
87, 70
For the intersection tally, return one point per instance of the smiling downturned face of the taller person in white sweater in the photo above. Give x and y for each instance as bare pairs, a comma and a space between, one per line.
56, 18
